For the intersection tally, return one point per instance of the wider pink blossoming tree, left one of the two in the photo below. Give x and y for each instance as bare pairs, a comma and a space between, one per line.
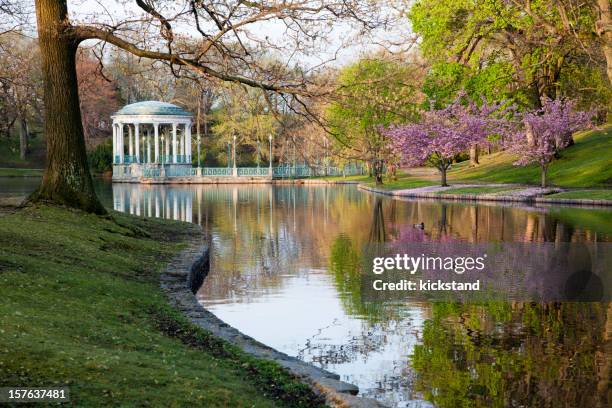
442, 134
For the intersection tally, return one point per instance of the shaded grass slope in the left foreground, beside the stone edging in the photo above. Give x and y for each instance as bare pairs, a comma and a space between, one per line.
81, 307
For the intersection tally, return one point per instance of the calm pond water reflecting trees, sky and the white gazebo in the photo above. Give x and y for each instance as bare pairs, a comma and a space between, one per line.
284, 271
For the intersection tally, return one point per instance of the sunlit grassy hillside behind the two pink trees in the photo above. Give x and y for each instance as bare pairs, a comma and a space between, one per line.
588, 163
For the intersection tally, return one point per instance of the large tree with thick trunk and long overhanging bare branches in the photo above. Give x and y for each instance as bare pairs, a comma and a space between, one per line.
230, 34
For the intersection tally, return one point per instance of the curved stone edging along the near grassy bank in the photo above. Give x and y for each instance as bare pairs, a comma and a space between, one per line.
188, 269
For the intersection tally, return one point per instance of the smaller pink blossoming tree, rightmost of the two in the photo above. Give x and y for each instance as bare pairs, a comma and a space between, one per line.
551, 131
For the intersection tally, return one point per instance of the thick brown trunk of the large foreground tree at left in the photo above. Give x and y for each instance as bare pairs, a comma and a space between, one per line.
66, 180
